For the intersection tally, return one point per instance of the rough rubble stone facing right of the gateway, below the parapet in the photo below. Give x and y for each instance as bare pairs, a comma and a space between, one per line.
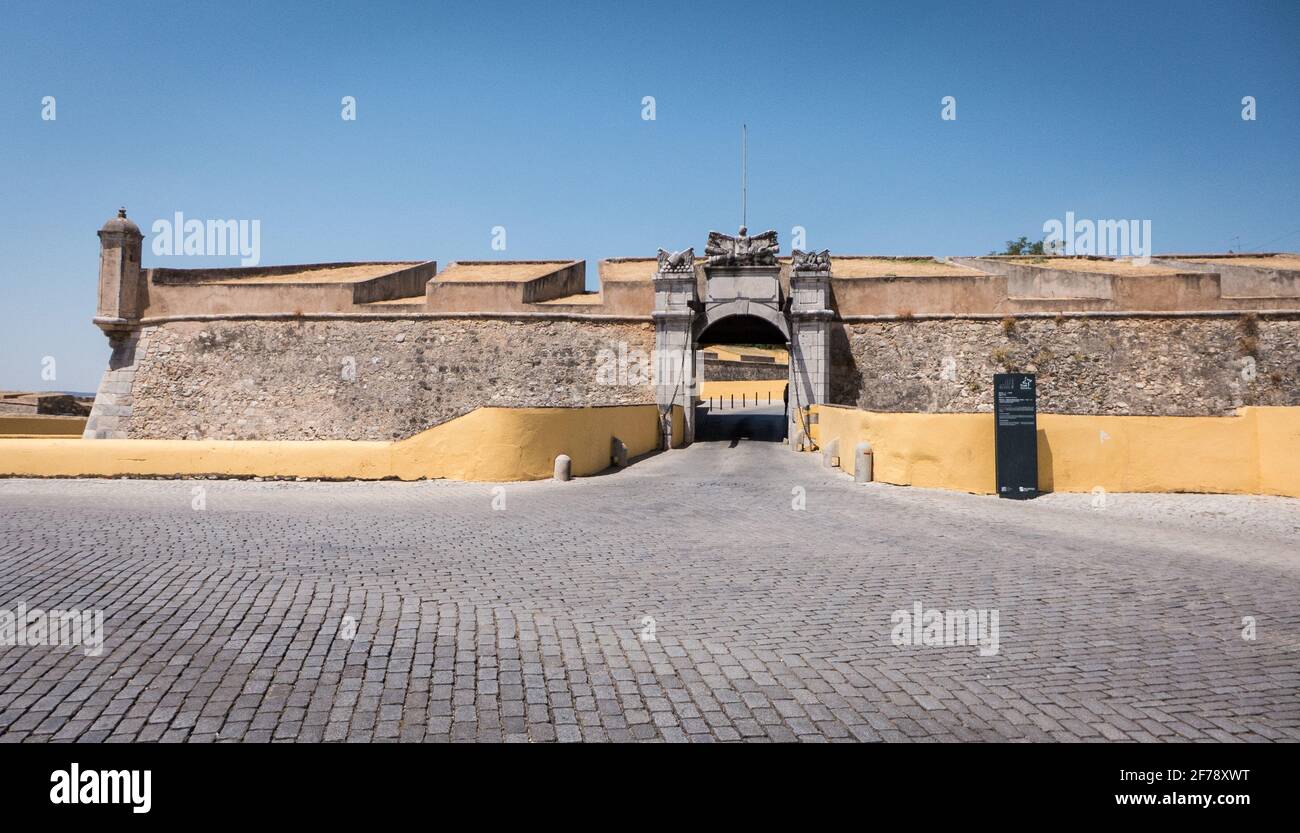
1177, 367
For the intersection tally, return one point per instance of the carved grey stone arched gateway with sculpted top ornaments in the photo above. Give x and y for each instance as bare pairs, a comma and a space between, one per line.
740, 277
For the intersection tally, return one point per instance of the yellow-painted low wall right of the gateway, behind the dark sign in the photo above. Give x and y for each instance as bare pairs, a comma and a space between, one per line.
1254, 453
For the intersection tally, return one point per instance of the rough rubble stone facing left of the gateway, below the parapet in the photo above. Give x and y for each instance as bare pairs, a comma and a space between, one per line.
276, 380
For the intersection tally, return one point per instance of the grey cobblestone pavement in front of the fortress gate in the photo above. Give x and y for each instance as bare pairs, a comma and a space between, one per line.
528, 622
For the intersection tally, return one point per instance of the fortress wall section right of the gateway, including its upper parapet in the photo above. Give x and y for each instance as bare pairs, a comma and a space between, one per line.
1106, 337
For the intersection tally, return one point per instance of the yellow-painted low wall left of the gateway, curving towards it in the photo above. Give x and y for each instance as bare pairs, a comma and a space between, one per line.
487, 445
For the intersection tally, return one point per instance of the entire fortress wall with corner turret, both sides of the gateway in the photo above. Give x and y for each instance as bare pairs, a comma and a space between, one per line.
387, 350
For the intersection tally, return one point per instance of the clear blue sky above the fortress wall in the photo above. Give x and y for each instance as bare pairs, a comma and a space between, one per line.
530, 116
